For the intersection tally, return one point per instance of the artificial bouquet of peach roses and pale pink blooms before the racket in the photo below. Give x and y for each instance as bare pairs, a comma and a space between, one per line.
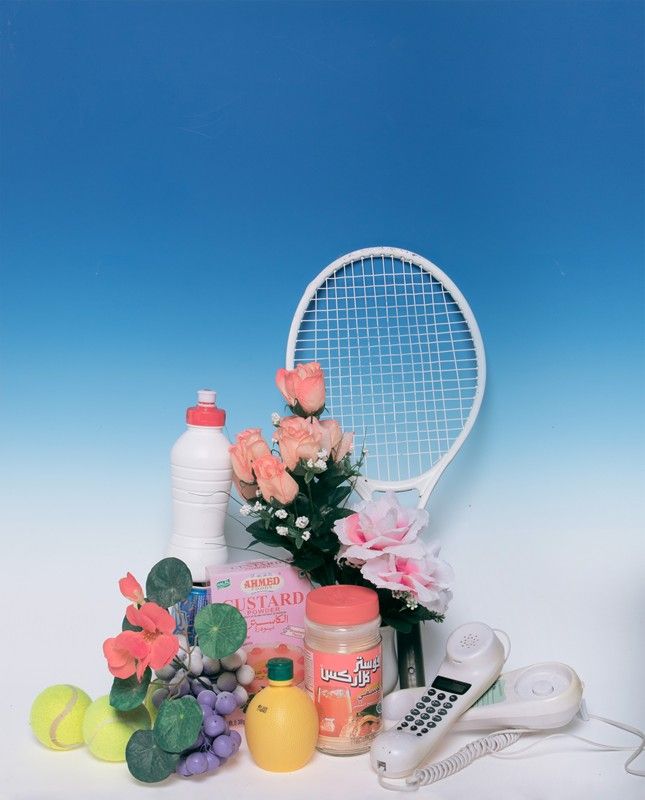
299, 489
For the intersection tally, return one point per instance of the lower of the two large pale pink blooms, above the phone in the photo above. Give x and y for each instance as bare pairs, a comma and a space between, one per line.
427, 579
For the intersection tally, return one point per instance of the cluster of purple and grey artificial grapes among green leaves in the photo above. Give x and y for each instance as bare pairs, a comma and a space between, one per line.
219, 687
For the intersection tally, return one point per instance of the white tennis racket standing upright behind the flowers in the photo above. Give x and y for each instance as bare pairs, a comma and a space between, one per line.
405, 370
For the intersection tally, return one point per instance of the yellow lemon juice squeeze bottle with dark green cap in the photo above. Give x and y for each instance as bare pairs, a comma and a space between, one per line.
281, 722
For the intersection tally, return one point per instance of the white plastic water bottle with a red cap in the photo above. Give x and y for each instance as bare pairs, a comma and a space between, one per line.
201, 485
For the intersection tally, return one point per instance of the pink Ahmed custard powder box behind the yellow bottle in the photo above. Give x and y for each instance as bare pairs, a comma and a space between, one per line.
271, 596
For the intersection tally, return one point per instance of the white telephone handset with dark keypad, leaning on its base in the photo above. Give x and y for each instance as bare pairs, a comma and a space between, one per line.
474, 659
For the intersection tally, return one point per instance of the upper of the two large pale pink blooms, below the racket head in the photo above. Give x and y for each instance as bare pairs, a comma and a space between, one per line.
381, 526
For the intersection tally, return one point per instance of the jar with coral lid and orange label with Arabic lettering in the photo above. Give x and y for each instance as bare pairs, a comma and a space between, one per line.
343, 672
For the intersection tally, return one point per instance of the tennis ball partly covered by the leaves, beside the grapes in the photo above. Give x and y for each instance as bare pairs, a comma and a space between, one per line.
106, 731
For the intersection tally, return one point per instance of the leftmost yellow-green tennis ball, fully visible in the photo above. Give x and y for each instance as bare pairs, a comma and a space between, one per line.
56, 716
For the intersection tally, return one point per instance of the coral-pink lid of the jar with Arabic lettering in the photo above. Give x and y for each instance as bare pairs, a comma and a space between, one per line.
342, 605
